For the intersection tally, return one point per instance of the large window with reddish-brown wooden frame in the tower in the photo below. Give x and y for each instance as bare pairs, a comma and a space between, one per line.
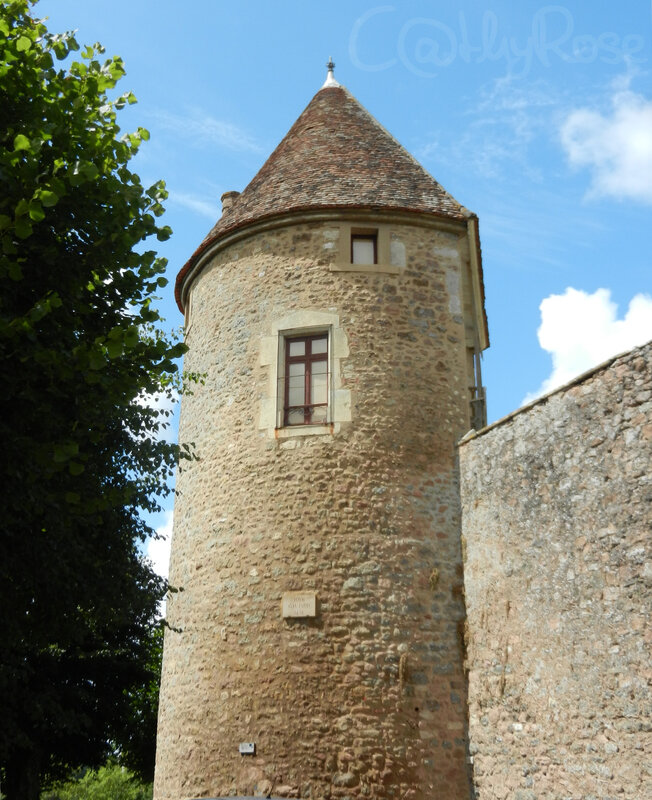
306, 382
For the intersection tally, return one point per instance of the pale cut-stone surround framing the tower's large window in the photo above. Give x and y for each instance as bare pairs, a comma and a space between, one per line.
272, 356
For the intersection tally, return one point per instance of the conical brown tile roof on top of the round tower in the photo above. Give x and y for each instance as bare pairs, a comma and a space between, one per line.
336, 155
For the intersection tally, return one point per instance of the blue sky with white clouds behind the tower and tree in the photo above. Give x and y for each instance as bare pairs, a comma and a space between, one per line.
537, 117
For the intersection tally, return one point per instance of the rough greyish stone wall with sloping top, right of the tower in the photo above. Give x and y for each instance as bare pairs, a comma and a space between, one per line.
557, 515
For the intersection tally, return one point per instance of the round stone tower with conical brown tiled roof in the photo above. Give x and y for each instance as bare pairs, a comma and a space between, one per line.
336, 310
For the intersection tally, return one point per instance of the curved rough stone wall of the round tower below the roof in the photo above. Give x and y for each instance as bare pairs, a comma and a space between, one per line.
367, 699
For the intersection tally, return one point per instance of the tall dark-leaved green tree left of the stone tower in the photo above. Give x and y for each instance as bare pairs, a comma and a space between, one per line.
80, 354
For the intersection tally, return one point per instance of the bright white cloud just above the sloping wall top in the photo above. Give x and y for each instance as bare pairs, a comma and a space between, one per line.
581, 330
